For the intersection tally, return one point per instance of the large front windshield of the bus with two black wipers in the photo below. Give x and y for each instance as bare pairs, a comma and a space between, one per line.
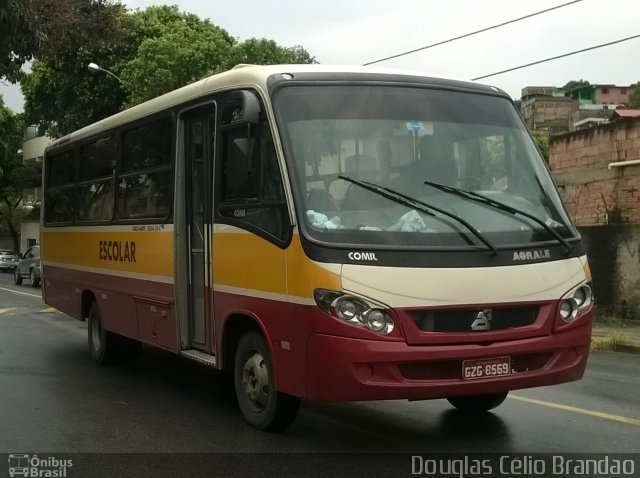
352, 149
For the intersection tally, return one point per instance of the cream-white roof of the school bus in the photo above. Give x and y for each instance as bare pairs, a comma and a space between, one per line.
244, 76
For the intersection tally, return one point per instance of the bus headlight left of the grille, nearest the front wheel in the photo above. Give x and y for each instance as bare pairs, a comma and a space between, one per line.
354, 311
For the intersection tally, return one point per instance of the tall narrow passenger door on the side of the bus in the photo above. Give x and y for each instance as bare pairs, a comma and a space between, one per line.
199, 125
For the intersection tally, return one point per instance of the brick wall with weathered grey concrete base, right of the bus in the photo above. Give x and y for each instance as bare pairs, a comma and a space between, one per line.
605, 205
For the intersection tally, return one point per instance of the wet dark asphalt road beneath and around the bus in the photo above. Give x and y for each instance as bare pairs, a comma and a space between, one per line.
54, 399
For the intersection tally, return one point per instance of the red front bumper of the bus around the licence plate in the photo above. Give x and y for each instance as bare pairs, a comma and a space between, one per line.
346, 369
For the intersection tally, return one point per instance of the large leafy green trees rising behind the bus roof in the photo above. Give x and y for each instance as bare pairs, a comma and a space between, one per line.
152, 51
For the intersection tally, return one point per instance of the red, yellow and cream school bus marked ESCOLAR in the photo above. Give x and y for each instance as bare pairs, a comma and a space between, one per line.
321, 233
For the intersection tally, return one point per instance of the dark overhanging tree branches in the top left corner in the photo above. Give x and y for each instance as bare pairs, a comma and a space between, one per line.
31, 27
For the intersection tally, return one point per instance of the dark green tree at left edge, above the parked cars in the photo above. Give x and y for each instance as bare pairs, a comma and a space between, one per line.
14, 176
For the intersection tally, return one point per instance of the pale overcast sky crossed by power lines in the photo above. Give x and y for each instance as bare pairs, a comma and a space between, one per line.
360, 31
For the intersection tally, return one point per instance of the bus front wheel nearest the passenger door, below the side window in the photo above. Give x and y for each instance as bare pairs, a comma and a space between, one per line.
262, 406
